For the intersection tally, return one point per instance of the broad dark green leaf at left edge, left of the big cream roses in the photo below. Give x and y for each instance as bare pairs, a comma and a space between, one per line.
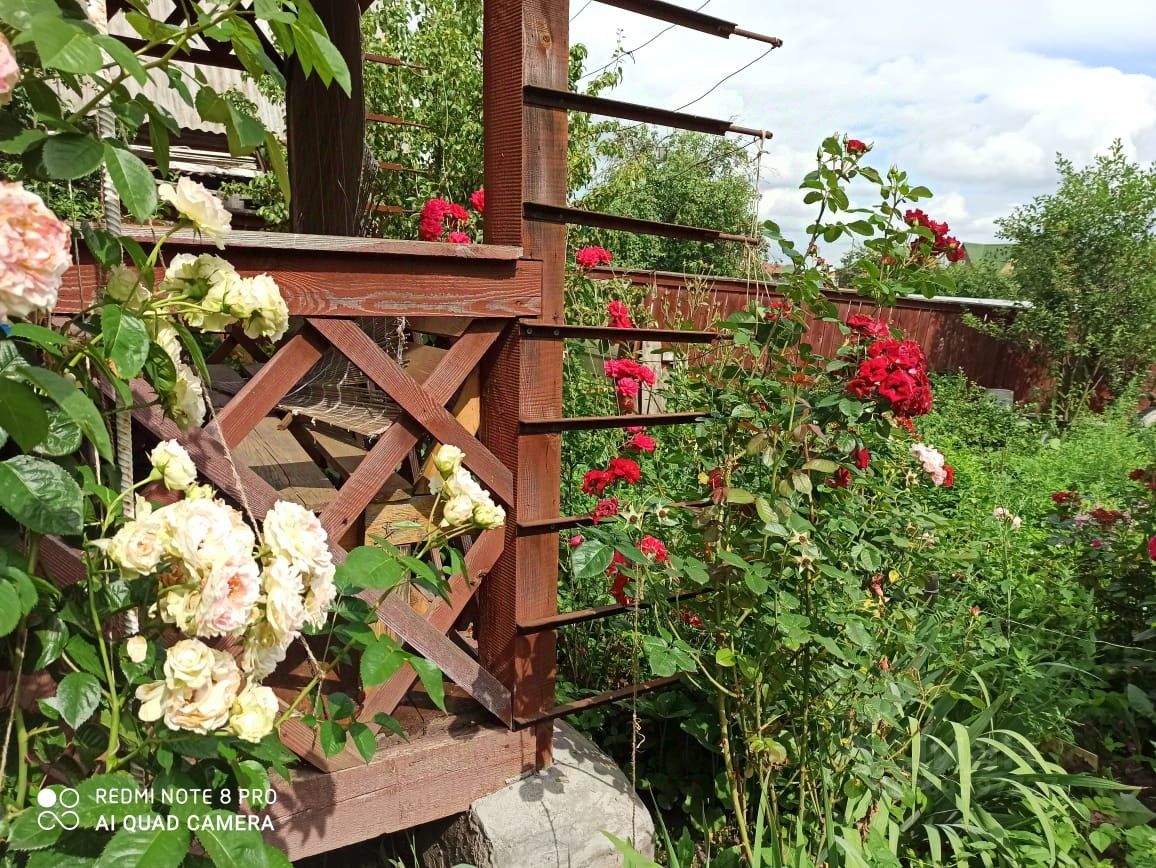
41, 496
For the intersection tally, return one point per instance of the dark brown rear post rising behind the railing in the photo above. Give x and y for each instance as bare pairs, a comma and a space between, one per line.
327, 133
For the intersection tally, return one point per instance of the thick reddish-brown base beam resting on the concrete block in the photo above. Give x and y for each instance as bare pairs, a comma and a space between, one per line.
416, 783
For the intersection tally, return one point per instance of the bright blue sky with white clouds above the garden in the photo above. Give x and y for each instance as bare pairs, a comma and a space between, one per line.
974, 100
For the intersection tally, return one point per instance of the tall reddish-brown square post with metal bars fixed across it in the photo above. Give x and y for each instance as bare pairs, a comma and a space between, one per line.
525, 42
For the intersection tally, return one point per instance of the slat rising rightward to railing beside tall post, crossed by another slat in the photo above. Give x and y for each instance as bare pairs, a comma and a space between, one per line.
355, 495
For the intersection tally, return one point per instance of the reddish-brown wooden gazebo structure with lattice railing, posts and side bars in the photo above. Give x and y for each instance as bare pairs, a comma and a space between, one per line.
499, 307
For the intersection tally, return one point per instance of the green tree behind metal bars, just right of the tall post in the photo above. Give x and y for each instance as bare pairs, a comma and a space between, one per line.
683, 177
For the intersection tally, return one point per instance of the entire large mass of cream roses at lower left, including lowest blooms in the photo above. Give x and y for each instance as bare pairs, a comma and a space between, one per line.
214, 582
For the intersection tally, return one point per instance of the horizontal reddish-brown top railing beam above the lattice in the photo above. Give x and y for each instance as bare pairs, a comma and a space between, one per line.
352, 285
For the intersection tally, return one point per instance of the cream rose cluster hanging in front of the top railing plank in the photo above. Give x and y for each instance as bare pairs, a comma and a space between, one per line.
224, 298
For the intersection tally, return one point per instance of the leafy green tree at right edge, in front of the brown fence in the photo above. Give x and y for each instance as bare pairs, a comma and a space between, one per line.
1086, 262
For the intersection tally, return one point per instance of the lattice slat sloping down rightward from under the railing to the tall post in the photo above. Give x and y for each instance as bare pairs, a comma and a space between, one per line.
429, 413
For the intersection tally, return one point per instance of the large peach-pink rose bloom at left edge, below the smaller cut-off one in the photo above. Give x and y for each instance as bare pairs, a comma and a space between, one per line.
34, 253
